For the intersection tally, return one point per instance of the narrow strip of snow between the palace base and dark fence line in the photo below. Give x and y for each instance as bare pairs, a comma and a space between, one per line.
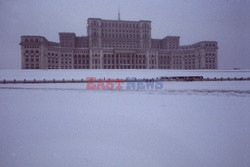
121, 73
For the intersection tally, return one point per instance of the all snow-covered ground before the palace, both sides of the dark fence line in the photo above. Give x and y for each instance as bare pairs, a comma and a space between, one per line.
189, 124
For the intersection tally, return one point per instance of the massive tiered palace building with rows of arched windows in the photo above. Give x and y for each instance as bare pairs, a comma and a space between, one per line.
116, 44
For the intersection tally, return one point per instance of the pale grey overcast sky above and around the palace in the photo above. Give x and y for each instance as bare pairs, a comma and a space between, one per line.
225, 21
